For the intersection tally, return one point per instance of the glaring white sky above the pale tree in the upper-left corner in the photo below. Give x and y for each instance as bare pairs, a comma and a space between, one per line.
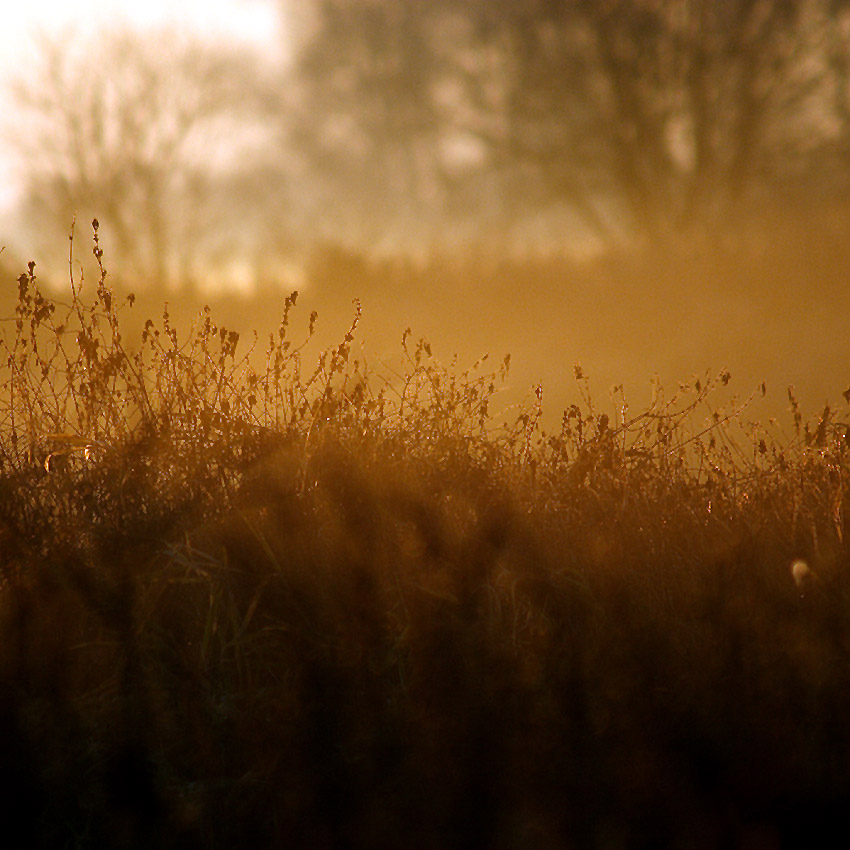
248, 21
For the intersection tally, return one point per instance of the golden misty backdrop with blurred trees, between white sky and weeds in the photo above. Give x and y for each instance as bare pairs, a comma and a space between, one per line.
646, 189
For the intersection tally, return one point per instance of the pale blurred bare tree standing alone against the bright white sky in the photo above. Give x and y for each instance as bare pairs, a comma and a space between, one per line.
137, 130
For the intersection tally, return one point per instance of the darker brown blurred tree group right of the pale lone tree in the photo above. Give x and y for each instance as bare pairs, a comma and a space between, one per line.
648, 114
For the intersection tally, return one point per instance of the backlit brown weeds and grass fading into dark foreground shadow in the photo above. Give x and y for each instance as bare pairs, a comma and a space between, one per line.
249, 601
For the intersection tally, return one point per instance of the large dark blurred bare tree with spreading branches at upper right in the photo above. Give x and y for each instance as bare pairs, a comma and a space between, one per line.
705, 102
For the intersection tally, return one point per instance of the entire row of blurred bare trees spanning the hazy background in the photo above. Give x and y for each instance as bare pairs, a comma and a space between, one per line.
400, 122
